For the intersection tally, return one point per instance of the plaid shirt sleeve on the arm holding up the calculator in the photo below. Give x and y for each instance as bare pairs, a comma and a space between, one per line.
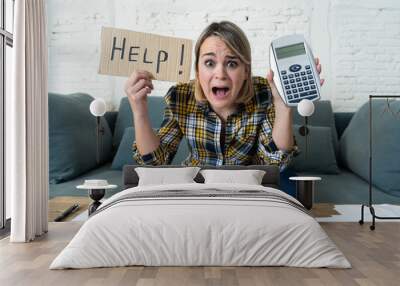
267, 152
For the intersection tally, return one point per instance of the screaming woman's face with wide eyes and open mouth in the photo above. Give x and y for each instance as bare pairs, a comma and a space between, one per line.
221, 74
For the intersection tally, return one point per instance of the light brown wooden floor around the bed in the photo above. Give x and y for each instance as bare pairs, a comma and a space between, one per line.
374, 255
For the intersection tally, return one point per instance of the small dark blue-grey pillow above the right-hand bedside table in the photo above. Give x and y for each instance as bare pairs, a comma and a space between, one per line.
320, 156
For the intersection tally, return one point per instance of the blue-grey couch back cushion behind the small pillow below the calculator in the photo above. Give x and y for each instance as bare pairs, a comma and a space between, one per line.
323, 116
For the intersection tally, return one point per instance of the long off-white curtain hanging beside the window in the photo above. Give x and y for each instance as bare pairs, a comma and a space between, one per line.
27, 124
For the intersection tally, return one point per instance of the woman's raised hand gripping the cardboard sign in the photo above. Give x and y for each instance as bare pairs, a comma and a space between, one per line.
138, 86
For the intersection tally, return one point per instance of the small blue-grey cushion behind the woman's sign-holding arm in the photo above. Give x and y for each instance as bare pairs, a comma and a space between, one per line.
124, 153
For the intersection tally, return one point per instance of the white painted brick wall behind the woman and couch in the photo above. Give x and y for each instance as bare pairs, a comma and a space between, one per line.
358, 41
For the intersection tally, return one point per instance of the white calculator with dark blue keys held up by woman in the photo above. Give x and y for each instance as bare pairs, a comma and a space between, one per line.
295, 72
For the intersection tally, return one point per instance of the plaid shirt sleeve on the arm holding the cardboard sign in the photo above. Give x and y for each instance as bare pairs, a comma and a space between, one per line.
170, 136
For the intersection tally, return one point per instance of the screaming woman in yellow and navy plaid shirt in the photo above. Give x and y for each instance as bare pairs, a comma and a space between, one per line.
227, 116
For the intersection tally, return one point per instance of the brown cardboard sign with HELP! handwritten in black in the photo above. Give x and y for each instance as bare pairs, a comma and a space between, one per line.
123, 51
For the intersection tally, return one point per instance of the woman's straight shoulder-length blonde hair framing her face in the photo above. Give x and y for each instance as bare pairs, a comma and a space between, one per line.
237, 41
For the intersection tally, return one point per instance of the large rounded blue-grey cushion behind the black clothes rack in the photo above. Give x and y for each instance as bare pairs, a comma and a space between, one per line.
354, 145
